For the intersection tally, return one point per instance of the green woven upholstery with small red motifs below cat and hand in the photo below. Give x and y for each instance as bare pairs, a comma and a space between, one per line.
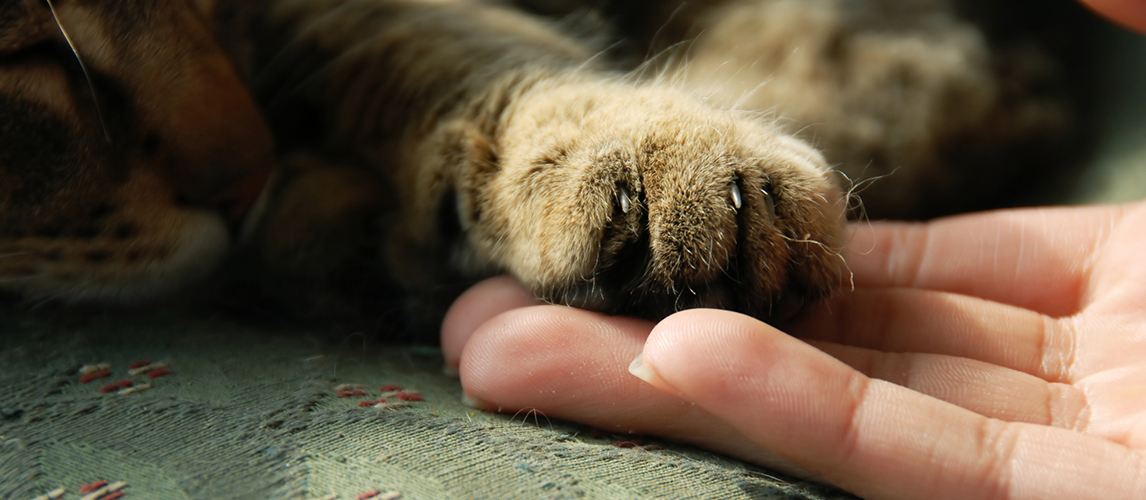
252, 413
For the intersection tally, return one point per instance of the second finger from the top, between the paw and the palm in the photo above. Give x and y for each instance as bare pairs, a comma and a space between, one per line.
923, 322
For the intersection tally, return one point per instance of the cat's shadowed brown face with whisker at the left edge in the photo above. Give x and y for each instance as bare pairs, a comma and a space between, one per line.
130, 146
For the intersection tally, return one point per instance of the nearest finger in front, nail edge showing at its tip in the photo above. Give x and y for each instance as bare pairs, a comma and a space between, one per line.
872, 437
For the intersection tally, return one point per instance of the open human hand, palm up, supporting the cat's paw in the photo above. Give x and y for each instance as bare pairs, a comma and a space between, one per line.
990, 356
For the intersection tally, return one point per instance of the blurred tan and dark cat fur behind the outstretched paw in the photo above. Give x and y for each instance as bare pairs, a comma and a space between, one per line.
916, 103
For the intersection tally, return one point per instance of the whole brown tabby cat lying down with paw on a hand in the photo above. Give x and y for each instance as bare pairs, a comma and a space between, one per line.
449, 140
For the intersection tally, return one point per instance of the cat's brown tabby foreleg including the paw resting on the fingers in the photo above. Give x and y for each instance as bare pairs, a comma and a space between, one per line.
624, 197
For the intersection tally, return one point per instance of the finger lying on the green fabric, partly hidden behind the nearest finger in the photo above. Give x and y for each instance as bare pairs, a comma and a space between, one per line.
571, 364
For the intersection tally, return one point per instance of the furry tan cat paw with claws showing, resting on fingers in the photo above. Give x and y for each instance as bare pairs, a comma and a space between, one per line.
646, 201
